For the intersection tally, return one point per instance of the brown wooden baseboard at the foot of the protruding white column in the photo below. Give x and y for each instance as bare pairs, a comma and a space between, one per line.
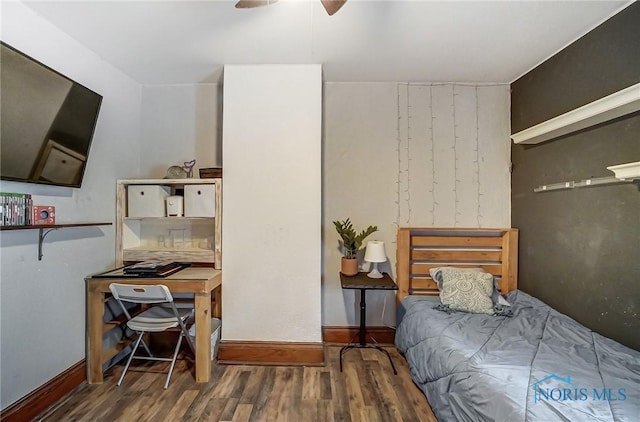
270, 353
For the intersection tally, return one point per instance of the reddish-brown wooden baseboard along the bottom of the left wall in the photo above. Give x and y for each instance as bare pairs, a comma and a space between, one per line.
34, 403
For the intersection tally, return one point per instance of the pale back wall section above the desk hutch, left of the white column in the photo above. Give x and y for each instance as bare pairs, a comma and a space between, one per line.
180, 123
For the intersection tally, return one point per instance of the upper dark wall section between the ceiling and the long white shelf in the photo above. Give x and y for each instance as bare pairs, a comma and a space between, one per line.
600, 63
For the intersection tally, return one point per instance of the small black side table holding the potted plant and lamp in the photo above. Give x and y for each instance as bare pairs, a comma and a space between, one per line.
363, 283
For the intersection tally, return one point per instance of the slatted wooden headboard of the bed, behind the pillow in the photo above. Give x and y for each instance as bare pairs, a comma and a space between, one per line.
419, 249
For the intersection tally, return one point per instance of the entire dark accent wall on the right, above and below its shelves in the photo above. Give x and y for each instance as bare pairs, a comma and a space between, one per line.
580, 248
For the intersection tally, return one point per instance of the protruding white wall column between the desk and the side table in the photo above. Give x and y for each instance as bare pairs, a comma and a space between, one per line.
271, 226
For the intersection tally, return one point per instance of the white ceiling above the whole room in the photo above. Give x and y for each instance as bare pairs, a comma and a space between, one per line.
175, 42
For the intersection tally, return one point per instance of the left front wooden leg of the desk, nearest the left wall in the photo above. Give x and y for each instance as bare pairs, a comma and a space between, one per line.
95, 312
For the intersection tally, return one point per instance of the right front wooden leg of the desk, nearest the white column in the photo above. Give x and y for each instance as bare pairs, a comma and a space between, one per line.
203, 336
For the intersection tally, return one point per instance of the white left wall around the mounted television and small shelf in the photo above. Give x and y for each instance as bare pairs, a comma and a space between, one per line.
42, 303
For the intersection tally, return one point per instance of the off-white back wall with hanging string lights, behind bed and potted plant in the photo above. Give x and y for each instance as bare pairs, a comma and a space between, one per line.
398, 154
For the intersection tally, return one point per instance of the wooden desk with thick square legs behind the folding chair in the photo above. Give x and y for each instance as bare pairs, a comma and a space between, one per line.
202, 281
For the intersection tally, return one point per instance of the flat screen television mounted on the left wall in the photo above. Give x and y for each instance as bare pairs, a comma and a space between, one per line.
47, 122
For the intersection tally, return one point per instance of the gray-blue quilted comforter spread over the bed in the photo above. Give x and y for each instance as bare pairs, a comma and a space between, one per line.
538, 365
